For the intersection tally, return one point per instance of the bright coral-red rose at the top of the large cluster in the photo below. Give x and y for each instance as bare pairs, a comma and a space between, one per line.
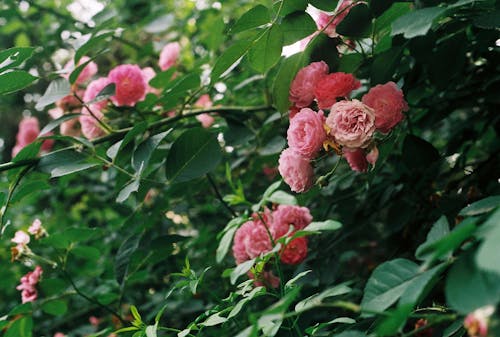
334, 86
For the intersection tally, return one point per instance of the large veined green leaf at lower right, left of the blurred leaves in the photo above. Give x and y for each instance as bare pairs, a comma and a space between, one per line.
387, 283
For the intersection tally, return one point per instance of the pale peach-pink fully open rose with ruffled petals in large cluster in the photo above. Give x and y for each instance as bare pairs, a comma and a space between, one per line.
351, 123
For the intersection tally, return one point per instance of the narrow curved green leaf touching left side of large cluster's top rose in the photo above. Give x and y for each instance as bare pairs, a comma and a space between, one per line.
286, 73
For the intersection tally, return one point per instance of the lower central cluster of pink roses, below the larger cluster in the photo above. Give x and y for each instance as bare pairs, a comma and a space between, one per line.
259, 235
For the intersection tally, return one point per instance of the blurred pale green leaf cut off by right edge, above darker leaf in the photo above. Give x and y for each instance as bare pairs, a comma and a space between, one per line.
487, 256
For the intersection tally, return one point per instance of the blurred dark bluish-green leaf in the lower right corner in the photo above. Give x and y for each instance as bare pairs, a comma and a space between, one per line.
468, 288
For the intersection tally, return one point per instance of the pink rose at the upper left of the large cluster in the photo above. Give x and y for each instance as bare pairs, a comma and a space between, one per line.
302, 87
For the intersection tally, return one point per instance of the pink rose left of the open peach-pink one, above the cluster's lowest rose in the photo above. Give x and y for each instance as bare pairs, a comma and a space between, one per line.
306, 133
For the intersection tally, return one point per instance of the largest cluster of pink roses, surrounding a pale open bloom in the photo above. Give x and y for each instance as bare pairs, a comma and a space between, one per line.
348, 129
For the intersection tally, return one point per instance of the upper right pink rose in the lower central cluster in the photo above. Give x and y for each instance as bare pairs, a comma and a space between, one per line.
286, 215
